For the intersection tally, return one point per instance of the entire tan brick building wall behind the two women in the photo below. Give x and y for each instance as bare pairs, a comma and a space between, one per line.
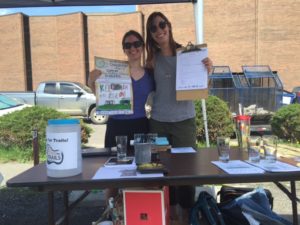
238, 32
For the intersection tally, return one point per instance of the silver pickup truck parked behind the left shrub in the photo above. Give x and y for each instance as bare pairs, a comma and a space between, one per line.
73, 98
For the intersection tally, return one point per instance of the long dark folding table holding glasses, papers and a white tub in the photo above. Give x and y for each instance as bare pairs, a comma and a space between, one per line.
184, 169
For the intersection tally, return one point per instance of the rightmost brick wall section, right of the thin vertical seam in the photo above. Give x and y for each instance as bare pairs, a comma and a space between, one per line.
279, 39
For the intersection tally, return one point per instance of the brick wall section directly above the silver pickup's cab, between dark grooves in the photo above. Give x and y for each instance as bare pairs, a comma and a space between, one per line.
57, 48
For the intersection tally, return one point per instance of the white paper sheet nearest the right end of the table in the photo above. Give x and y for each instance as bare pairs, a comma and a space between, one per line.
275, 167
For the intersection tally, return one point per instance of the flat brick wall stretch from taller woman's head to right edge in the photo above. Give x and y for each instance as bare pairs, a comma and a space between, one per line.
242, 32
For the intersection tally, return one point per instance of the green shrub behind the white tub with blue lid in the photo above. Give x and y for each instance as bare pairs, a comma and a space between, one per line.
16, 129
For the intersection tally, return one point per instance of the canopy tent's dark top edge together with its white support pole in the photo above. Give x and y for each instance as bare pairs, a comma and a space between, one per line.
198, 13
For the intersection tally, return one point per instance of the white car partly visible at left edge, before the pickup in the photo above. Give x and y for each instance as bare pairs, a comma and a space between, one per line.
9, 105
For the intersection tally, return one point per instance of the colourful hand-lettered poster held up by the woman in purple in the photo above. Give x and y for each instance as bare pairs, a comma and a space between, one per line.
113, 88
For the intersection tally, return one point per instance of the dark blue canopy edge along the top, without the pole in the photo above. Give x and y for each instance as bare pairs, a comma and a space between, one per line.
47, 3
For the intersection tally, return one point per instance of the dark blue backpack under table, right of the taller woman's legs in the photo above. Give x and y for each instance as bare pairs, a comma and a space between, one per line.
206, 211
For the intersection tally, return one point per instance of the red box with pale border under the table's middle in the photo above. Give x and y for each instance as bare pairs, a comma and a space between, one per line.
146, 206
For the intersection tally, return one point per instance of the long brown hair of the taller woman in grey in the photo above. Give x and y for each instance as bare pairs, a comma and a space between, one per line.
151, 45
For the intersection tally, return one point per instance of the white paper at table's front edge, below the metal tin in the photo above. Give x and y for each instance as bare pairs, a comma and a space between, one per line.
121, 173
